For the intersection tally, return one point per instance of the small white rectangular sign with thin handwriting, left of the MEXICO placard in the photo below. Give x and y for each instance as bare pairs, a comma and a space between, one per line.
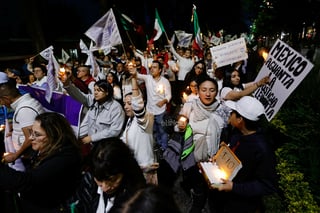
229, 52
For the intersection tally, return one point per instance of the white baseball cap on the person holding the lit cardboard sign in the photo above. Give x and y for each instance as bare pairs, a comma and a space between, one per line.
248, 107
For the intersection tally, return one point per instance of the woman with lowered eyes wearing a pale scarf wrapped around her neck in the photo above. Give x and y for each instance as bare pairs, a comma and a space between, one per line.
207, 117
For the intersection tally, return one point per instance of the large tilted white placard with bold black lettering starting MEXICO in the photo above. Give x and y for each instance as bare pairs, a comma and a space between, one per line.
286, 68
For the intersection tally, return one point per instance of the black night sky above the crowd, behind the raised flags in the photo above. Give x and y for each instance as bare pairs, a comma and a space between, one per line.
61, 19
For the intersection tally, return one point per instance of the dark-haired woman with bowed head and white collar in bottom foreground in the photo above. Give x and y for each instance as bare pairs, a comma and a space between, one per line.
117, 174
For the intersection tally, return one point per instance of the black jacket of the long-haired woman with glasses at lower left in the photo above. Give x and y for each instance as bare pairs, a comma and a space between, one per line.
50, 184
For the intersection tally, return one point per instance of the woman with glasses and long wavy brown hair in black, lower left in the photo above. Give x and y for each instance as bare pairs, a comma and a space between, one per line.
55, 169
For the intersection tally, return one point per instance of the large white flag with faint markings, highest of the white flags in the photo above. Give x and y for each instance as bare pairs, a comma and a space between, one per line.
105, 32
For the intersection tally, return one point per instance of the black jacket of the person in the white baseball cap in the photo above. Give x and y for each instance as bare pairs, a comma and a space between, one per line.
255, 179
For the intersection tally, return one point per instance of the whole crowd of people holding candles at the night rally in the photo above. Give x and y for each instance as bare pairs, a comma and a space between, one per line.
147, 118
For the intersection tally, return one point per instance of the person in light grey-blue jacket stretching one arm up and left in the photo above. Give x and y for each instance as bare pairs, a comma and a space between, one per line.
105, 116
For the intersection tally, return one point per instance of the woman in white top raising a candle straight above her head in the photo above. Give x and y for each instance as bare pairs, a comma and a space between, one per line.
138, 133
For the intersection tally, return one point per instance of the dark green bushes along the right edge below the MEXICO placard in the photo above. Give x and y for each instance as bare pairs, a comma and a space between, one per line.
298, 158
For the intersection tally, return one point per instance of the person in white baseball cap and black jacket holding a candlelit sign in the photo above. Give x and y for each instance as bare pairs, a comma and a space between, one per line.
257, 177
